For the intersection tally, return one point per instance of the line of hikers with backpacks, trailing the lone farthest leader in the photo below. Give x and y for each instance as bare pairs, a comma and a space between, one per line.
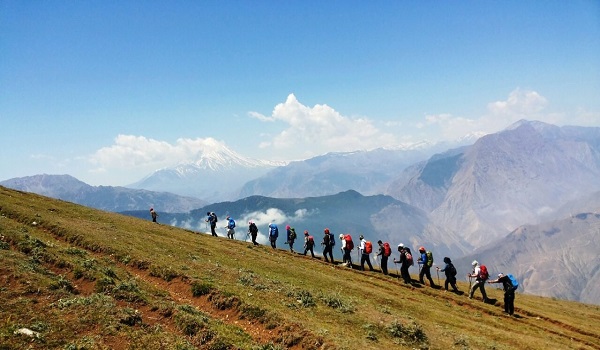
424, 260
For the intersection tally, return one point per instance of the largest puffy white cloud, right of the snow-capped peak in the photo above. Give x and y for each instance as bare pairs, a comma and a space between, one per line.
320, 129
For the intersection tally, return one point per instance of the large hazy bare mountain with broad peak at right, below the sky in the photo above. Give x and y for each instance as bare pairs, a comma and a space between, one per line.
520, 175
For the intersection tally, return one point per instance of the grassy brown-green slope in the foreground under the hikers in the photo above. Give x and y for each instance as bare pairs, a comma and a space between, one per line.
84, 278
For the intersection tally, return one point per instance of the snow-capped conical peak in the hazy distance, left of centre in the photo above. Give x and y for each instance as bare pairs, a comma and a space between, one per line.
214, 174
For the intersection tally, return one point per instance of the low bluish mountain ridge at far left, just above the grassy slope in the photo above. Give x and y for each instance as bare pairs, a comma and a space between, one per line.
107, 198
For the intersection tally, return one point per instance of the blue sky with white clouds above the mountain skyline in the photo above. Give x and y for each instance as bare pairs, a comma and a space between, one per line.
108, 91
